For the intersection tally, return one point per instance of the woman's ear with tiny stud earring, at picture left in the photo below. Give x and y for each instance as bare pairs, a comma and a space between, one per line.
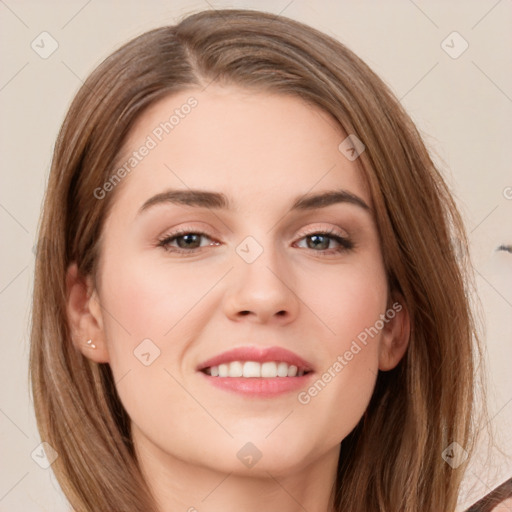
85, 317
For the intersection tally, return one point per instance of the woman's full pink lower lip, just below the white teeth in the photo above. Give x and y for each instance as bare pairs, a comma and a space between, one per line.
261, 387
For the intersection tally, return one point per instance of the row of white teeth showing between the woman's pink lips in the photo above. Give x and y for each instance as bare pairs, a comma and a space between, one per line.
251, 369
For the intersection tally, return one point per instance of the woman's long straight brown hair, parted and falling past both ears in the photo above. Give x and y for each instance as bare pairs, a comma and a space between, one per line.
393, 460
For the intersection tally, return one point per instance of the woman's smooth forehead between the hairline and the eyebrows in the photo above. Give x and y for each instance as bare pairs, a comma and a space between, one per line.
257, 148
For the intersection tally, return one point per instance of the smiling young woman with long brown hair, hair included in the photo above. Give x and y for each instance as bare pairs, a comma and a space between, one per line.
253, 371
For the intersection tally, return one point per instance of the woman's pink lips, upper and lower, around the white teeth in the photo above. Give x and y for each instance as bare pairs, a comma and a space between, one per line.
258, 386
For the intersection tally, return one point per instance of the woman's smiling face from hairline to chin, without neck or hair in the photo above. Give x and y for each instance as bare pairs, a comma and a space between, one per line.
256, 273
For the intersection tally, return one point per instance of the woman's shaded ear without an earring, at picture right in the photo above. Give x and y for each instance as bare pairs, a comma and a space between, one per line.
395, 334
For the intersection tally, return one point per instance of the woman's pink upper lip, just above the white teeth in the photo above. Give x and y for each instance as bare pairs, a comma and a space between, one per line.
258, 354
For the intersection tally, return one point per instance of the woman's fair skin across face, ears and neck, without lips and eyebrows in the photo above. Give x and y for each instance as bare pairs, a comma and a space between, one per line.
262, 150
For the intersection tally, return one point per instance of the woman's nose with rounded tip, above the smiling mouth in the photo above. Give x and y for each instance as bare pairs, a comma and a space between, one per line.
262, 291
